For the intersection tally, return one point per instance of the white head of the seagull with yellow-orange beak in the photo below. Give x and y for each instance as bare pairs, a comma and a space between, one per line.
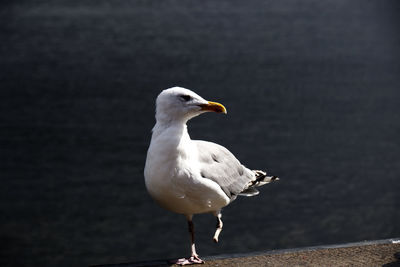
180, 104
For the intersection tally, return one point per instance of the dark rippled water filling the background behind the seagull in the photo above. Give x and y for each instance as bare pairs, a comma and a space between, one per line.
312, 92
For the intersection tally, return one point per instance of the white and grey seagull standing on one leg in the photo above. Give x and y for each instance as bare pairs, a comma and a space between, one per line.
189, 176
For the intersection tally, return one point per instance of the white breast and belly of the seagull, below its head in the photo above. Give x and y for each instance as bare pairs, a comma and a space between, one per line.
173, 178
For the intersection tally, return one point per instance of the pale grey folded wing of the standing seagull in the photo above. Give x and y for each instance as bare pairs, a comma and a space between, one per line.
219, 165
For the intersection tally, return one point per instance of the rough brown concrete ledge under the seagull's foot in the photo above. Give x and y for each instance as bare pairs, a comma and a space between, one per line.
368, 253
